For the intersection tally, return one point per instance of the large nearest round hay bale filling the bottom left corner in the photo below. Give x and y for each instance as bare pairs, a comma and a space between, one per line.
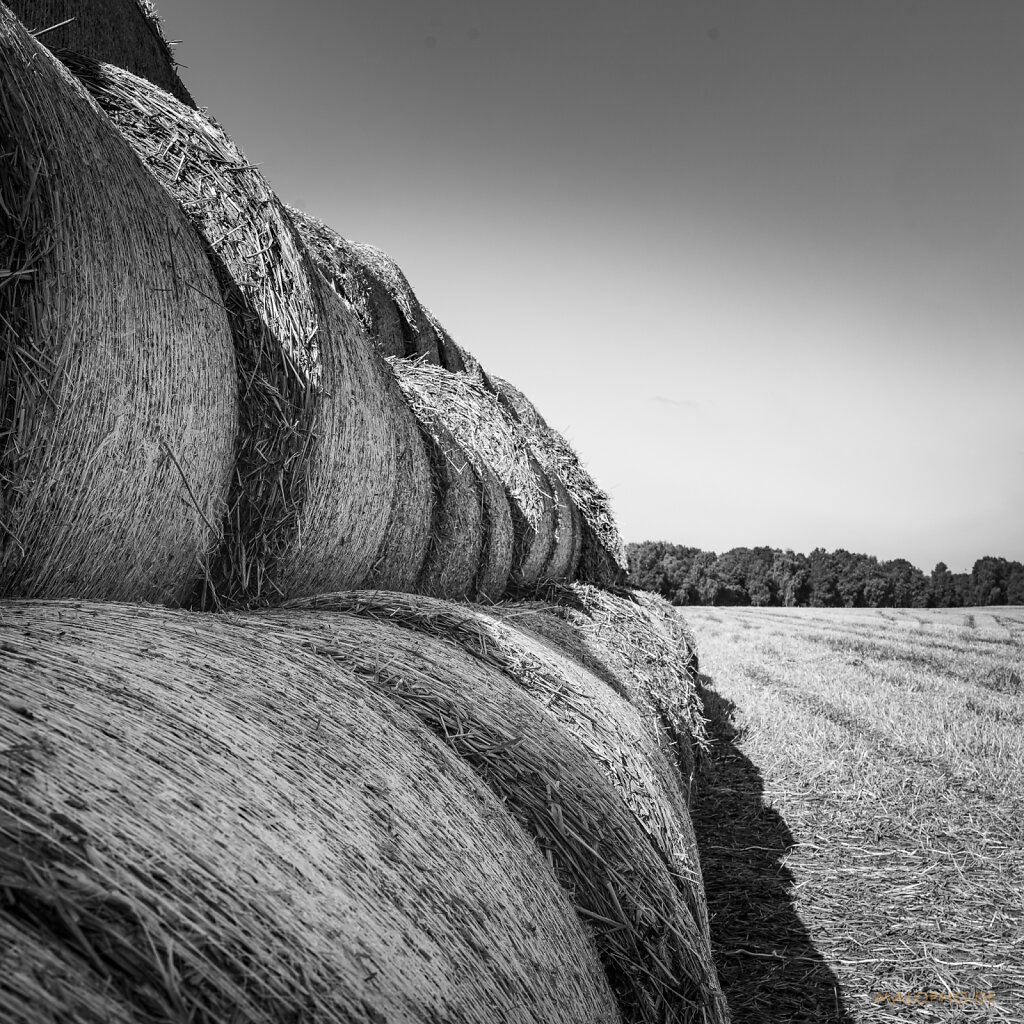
203, 819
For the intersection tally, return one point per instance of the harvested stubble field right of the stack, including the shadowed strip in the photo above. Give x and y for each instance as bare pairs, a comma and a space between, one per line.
861, 815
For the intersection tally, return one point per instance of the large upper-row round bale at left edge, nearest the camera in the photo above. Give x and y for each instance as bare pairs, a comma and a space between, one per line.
120, 407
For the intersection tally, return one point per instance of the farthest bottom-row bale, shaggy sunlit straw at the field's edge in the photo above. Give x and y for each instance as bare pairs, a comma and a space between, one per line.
635, 642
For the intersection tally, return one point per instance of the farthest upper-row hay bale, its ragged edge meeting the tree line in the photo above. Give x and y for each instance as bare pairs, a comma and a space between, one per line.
603, 558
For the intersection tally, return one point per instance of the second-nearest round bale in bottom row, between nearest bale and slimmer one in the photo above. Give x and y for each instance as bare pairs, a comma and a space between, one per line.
656, 957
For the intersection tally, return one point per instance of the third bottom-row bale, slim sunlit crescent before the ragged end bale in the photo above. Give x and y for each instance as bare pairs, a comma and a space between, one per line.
627, 742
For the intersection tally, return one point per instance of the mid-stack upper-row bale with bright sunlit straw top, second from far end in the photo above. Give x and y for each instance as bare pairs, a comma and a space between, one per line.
492, 439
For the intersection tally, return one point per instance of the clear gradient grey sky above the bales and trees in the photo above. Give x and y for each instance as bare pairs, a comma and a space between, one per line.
762, 262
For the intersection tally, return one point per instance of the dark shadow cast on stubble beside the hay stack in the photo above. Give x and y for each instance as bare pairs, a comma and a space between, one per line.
766, 962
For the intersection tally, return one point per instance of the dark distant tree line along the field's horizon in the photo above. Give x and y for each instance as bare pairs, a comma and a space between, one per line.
823, 579
